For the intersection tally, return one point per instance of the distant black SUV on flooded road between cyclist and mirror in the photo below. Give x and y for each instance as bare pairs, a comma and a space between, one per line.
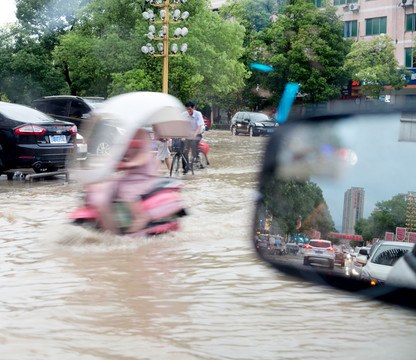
252, 123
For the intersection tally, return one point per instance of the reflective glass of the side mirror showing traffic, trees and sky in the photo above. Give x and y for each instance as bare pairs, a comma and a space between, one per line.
338, 197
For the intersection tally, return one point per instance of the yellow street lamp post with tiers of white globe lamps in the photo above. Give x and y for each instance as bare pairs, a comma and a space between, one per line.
163, 34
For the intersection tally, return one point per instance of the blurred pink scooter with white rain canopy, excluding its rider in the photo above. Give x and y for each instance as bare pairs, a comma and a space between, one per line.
123, 115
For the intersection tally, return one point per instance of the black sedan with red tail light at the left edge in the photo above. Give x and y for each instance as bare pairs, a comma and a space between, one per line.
29, 139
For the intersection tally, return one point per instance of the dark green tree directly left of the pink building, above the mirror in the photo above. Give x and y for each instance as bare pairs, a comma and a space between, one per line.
304, 45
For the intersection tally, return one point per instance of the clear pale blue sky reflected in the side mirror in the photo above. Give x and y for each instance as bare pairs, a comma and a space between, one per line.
384, 166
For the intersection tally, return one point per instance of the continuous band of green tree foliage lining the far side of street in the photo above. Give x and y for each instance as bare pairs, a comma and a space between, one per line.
92, 47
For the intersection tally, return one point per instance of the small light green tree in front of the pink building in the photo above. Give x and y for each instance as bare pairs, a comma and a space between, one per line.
374, 65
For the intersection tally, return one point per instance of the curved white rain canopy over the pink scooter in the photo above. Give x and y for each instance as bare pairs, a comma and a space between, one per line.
117, 121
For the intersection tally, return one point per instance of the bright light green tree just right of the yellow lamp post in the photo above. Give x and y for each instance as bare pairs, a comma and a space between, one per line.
211, 69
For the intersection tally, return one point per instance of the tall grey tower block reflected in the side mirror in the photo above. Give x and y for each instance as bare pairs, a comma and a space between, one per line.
353, 209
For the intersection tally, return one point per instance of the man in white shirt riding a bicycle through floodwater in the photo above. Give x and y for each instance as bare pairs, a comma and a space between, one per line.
197, 128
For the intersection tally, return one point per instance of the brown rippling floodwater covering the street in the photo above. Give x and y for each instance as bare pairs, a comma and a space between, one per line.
200, 293
